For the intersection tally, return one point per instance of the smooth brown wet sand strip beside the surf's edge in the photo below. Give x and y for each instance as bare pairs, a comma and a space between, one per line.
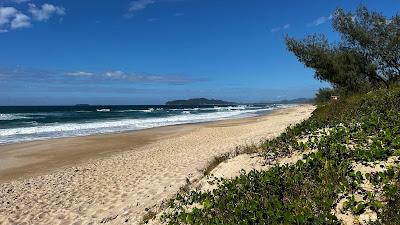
13, 167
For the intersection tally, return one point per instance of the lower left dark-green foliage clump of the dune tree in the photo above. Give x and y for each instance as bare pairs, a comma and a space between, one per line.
342, 67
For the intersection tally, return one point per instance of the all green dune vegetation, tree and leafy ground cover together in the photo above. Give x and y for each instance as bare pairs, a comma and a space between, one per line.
350, 148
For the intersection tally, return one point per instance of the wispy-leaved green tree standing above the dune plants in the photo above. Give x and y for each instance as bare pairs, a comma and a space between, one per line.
367, 56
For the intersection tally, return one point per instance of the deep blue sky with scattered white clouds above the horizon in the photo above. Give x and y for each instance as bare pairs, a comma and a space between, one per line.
69, 52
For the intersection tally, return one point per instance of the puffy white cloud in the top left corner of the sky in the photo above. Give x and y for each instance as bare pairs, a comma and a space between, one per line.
11, 18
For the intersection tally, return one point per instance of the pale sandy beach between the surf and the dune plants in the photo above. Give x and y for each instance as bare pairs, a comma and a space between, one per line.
118, 178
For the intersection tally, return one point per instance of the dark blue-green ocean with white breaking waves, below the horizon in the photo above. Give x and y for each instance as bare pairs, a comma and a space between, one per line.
28, 123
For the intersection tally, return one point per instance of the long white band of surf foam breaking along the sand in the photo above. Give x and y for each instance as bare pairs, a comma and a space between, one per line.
82, 129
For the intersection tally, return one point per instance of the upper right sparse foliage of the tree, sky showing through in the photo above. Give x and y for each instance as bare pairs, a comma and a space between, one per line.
375, 37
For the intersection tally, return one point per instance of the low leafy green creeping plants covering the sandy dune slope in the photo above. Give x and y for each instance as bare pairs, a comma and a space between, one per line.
361, 129
